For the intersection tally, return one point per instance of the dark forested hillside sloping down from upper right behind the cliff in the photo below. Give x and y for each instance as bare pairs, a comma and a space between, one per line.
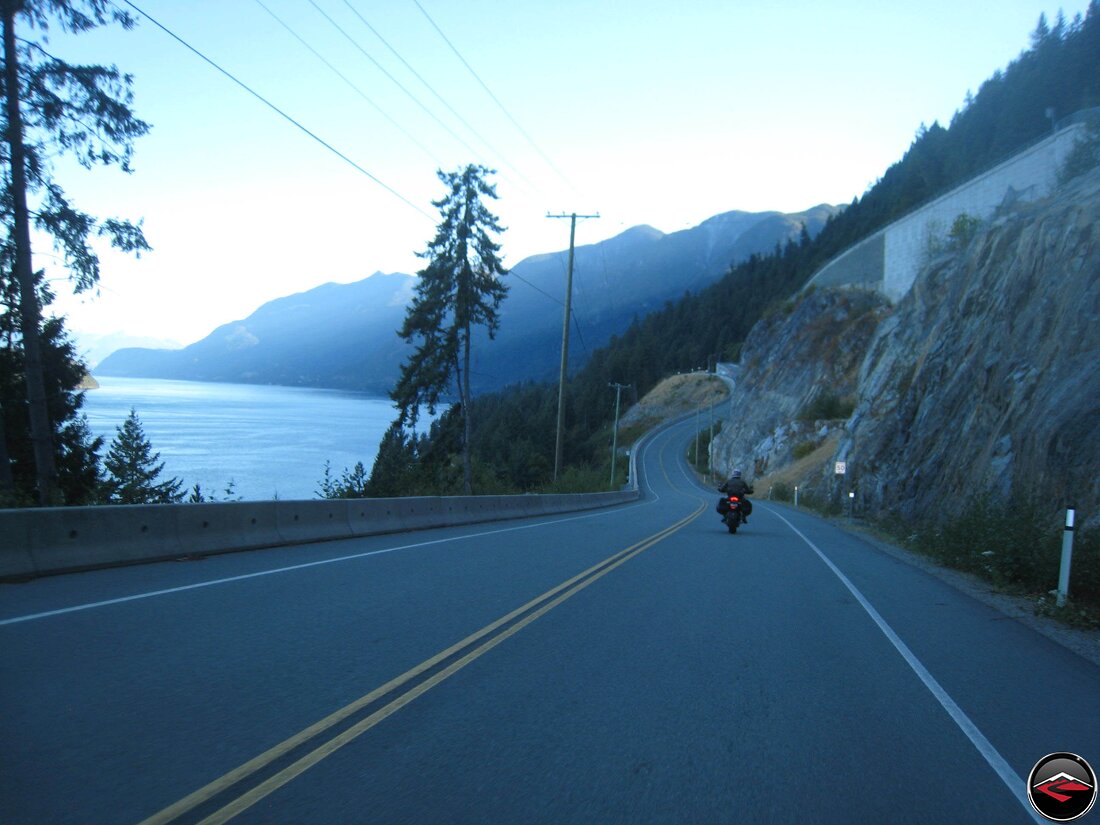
514, 431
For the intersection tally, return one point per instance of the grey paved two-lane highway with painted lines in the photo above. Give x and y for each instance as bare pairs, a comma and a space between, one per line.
636, 665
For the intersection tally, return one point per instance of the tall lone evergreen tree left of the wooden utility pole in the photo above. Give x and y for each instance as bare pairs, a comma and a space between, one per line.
459, 289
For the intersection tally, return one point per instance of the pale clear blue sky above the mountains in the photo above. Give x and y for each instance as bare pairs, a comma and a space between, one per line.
648, 113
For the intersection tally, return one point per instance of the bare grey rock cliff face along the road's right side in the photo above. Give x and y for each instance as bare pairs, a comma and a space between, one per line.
986, 377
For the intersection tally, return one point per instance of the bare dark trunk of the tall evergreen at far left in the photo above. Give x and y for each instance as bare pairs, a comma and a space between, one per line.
41, 432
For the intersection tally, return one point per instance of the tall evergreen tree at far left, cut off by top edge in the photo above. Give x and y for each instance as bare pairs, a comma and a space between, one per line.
53, 108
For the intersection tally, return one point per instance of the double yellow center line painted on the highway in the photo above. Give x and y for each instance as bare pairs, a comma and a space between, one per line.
468, 651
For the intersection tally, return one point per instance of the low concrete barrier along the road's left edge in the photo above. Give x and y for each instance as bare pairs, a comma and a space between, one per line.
61, 540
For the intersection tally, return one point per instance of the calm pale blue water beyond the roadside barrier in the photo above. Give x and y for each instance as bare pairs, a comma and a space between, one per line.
269, 441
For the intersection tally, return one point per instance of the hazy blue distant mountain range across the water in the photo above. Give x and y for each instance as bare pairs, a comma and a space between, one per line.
344, 336
